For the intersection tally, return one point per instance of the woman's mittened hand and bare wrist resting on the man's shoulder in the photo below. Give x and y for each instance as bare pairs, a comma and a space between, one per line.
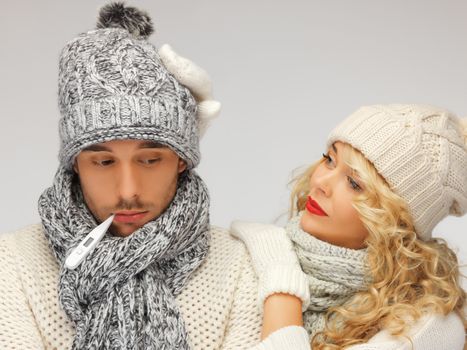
282, 285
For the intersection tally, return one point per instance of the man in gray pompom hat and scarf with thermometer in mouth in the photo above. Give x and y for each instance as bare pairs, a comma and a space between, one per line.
161, 278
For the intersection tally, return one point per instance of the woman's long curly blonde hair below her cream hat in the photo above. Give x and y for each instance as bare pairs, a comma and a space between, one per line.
409, 276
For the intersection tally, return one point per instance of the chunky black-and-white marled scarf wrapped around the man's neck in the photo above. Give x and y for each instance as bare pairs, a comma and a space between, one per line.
122, 296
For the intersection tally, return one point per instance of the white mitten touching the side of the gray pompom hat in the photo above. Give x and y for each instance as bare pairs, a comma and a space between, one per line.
196, 80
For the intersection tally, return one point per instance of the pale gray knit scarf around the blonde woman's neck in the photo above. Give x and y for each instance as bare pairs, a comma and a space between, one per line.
334, 273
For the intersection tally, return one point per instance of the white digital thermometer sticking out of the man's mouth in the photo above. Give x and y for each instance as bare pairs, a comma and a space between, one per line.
88, 244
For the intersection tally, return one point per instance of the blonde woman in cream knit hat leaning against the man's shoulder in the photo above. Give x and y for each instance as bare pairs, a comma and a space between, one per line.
360, 229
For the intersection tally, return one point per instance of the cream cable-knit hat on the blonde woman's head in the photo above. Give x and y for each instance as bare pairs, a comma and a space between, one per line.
421, 152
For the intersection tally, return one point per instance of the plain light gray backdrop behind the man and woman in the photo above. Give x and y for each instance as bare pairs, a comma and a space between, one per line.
285, 71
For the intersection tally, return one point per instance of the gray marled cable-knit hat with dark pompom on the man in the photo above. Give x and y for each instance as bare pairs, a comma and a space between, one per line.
113, 85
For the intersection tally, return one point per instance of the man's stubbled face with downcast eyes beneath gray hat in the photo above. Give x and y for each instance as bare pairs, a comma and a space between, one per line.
135, 179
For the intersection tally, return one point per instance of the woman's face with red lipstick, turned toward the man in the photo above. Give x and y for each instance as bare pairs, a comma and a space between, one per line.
329, 214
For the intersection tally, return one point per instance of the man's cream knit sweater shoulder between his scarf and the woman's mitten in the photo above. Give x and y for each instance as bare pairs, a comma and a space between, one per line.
221, 294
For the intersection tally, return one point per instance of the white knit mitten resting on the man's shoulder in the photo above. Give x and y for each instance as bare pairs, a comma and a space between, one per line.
274, 261
